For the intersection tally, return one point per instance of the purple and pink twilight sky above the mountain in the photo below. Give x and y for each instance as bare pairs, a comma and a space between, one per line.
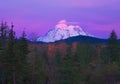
98, 17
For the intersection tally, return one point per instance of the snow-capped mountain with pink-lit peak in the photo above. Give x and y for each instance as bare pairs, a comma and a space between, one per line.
62, 31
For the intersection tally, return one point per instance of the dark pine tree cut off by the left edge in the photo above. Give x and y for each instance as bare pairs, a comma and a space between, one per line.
3, 44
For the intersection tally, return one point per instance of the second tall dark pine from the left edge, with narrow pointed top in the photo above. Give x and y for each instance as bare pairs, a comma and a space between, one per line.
11, 59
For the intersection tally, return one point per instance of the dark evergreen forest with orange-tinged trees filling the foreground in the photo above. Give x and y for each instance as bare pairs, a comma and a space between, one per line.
24, 62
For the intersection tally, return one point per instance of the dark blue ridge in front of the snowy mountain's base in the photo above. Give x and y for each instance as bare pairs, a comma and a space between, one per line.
80, 38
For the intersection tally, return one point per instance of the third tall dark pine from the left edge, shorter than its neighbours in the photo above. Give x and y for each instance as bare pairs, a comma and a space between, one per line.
22, 52
